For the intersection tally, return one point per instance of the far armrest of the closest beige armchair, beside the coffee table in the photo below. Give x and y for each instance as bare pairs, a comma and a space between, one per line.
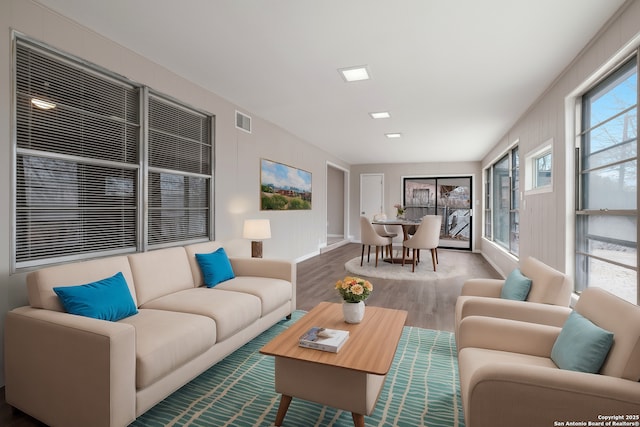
507, 335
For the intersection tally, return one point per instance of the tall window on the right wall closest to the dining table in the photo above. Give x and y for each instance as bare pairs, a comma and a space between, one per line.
502, 183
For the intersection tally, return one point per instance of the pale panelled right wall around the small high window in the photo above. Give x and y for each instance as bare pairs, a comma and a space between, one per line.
546, 230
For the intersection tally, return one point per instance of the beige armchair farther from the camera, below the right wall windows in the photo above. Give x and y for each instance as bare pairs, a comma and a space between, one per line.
549, 288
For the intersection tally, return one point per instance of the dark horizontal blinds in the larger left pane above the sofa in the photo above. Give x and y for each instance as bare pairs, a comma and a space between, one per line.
77, 160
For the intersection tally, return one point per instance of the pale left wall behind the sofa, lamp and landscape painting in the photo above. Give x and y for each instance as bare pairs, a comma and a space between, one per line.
296, 234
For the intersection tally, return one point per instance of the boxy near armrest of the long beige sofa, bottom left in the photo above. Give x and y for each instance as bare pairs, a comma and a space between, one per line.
70, 370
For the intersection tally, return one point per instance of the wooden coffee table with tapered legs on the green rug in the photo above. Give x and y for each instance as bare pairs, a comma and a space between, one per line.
351, 379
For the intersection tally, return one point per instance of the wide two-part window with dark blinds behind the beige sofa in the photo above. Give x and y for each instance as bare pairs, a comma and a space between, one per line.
86, 171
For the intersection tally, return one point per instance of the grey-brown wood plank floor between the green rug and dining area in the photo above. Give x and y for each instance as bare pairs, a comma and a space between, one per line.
430, 305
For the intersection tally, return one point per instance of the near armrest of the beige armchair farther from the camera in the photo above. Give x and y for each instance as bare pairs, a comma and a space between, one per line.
524, 311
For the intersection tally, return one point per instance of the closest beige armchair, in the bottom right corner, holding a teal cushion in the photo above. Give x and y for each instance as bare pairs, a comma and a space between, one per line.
508, 378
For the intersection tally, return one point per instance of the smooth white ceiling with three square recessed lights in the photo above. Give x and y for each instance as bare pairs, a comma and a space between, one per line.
455, 75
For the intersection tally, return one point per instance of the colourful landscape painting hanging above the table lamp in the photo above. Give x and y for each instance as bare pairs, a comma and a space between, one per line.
284, 187
